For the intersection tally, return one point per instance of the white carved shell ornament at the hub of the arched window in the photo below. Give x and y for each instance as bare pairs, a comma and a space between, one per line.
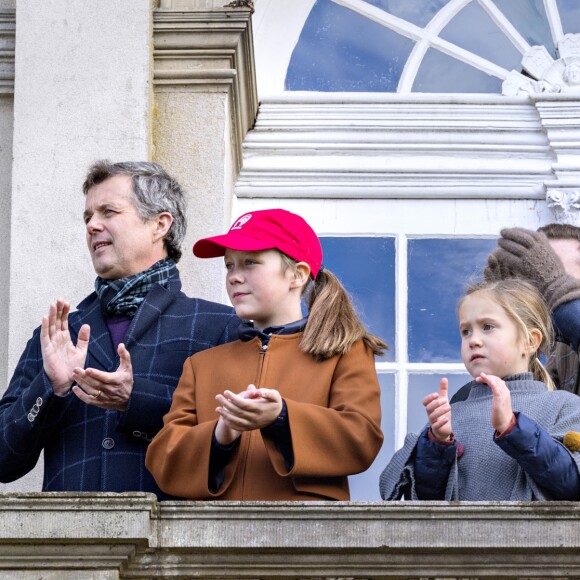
547, 75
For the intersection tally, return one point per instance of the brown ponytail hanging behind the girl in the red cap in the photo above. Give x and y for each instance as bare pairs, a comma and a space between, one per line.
333, 324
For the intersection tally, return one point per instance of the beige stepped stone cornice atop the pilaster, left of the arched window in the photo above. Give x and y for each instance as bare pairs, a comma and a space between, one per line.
206, 47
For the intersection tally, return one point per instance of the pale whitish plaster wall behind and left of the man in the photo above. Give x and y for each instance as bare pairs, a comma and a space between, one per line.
82, 92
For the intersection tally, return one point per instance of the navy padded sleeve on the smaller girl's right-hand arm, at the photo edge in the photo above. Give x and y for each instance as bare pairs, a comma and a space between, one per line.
547, 461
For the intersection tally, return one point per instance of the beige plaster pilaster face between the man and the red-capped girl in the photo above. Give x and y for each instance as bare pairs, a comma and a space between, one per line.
191, 131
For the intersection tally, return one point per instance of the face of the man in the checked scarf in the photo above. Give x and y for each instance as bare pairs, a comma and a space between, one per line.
120, 242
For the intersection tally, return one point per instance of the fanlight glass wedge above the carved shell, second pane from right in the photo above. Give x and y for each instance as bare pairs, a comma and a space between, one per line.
530, 20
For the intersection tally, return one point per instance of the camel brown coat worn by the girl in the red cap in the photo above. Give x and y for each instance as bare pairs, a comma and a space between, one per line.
334, 415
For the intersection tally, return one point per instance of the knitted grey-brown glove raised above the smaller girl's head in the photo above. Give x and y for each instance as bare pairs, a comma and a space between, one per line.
528, 255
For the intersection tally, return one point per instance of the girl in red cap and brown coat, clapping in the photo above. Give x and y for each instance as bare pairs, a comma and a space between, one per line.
292, 408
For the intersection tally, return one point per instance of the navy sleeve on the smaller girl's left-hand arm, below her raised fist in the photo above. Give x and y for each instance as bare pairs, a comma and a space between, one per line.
432, 466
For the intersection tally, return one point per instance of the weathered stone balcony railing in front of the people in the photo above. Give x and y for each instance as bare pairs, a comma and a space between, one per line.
68, 536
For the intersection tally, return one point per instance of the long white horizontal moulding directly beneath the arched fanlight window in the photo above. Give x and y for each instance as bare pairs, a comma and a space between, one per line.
396, 148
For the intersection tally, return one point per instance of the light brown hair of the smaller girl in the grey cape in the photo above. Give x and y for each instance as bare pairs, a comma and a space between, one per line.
526, 308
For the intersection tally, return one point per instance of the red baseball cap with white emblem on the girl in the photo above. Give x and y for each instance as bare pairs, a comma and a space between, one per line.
265, 230
